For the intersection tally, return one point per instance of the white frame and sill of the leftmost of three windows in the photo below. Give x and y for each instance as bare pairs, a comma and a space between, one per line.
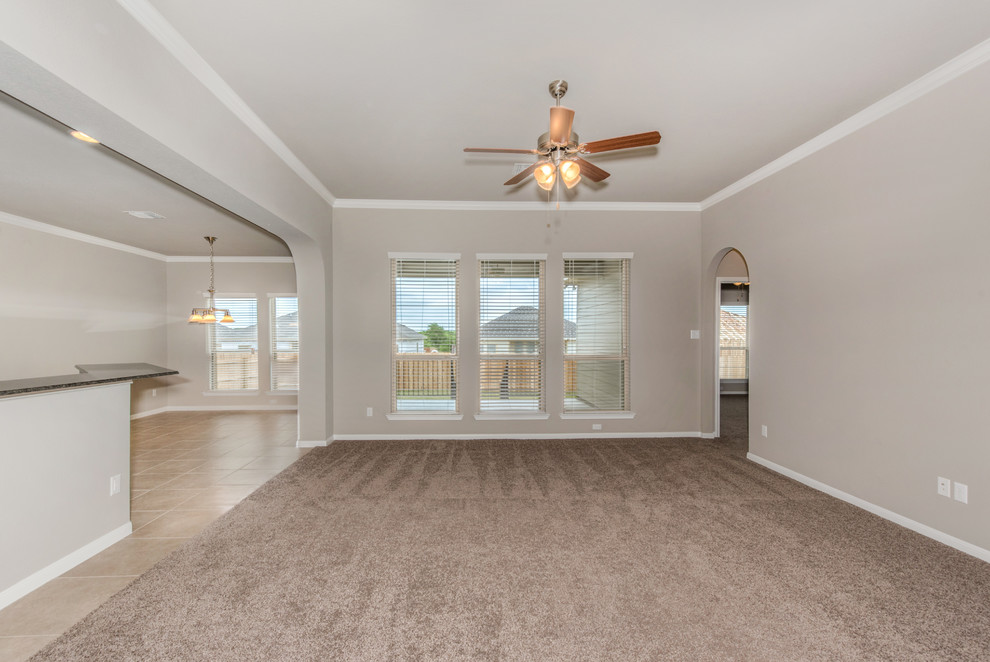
438, 415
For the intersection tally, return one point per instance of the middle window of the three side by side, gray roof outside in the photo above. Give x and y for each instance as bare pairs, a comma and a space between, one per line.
511, 334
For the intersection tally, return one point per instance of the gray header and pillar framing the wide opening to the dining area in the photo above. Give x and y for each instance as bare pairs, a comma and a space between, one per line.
214, 157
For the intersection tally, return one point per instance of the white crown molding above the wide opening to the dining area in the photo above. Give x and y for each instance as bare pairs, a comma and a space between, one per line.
147, 16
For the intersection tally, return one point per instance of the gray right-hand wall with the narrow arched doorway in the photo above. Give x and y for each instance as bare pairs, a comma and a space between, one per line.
870, 308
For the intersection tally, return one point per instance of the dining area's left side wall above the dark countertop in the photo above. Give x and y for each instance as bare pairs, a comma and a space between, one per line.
66, 302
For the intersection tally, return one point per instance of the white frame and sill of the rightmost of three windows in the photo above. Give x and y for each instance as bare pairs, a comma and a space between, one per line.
623, 355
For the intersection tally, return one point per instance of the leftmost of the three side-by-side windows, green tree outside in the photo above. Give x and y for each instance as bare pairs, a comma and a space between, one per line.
424, 334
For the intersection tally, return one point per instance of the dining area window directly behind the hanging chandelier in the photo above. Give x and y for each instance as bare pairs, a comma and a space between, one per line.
233, 347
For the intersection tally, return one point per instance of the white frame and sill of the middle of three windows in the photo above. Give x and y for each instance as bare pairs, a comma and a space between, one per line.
484, 348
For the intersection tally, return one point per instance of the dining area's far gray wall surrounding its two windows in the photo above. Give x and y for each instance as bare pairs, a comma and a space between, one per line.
187, 282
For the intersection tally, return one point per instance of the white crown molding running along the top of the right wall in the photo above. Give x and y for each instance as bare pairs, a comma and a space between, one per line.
974, 57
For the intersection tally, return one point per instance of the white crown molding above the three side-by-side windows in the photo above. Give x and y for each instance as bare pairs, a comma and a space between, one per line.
502, 205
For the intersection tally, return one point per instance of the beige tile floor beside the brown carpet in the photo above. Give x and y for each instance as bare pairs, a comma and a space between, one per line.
187, 469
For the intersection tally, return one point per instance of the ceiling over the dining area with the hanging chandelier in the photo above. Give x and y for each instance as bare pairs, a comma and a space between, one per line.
48, 176
